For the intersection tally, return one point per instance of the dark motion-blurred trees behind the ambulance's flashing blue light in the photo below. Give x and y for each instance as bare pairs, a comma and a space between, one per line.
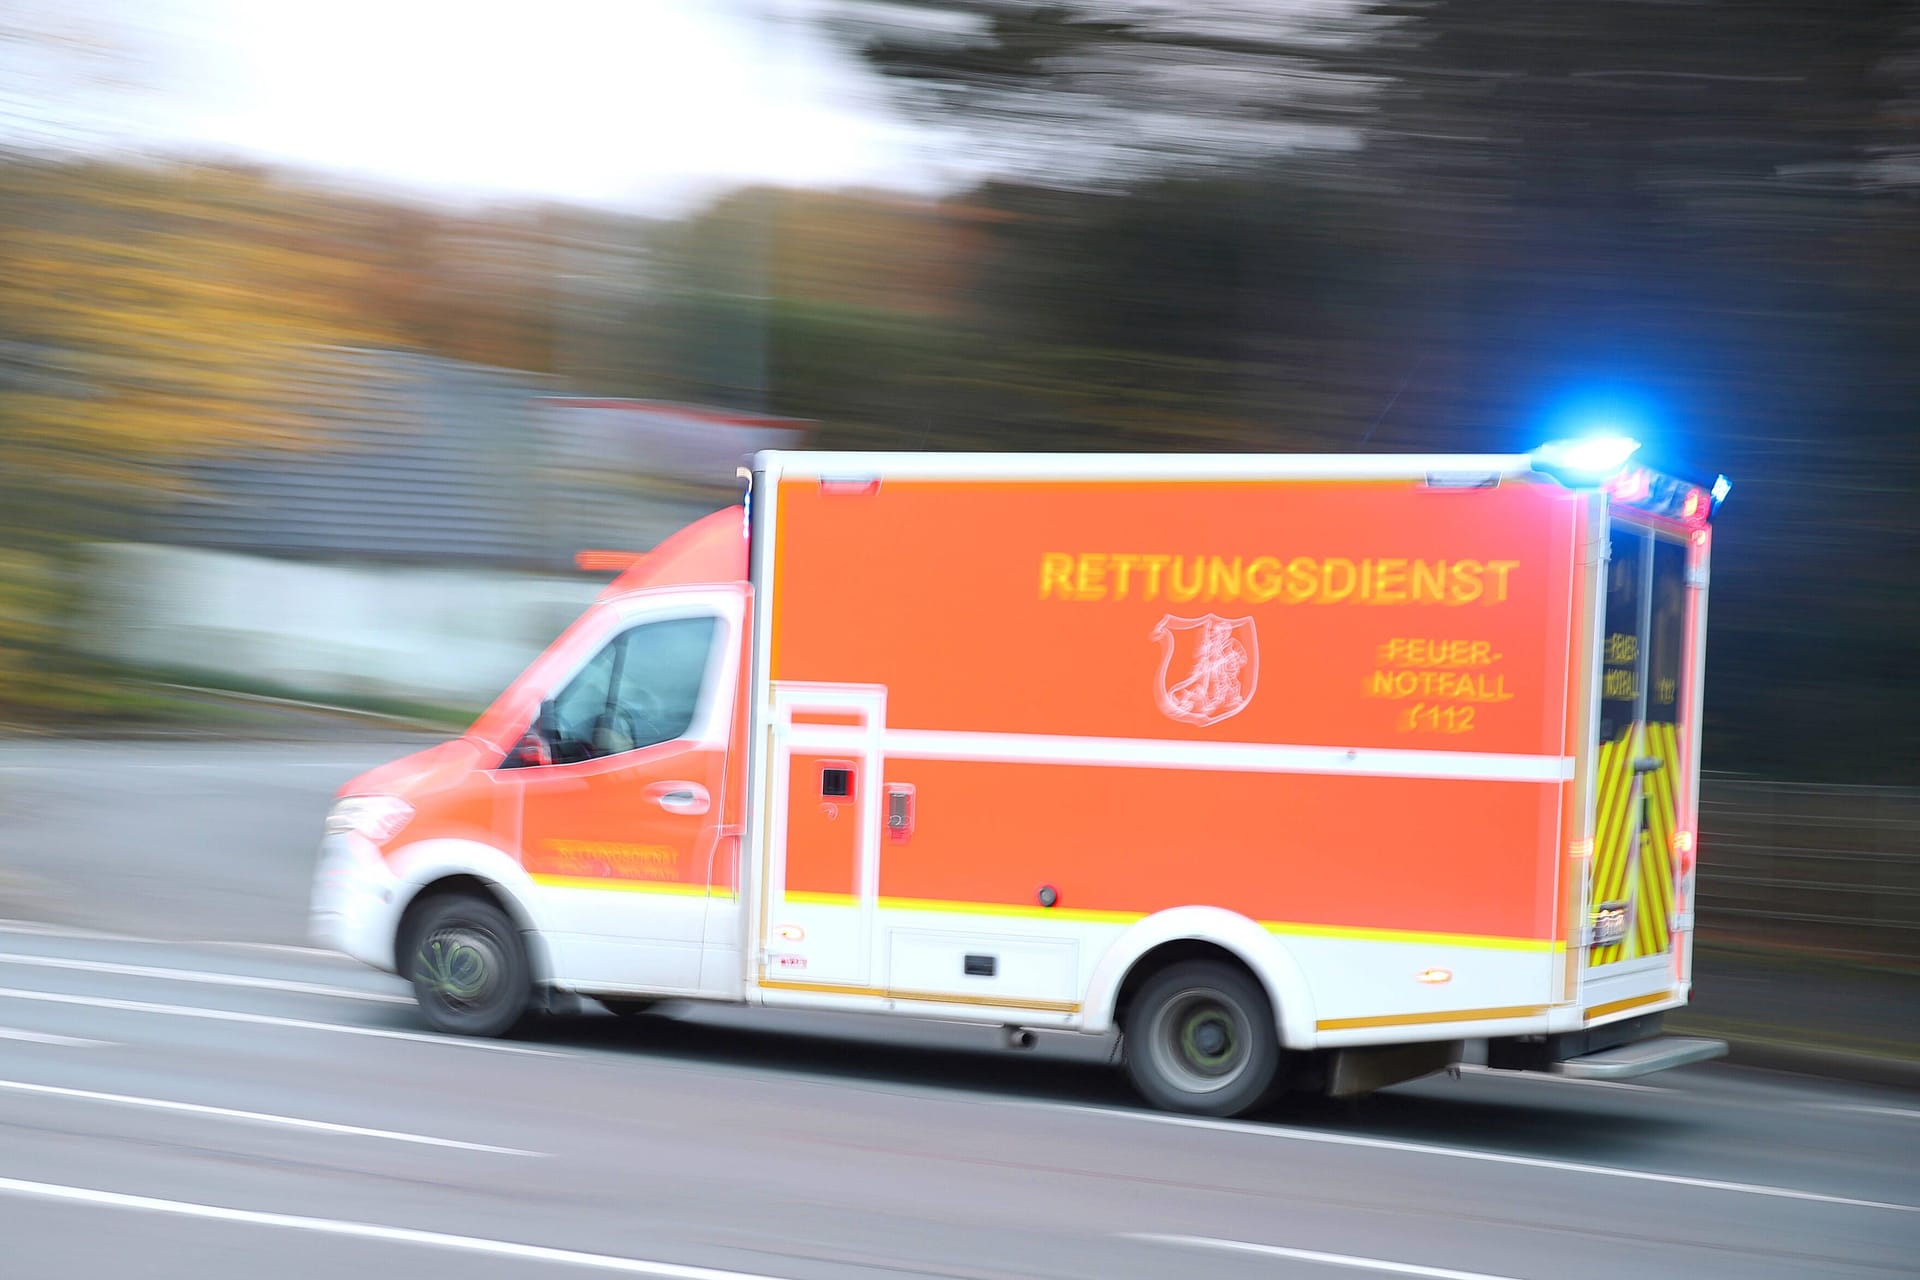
1428, 224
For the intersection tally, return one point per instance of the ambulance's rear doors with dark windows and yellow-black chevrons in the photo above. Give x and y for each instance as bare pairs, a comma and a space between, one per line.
1646, 751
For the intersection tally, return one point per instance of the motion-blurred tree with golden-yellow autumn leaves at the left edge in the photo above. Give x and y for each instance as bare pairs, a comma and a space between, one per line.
145, 316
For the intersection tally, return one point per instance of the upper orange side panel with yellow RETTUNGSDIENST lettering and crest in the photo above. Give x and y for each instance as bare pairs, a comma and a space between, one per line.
1370, 615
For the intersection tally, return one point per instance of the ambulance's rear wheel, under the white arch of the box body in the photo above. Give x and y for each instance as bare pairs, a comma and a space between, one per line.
1201, 1041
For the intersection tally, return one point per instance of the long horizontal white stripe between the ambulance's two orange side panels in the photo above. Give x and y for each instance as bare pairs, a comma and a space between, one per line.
1180, 755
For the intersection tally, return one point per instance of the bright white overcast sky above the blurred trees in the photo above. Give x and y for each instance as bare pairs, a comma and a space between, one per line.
640, 105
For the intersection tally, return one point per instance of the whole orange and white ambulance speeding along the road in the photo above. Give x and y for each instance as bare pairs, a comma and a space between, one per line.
1295, 772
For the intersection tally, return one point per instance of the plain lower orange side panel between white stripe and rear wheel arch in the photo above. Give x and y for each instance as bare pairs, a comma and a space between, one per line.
1381, 853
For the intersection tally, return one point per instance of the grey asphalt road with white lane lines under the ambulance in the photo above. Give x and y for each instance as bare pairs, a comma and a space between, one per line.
204, 1101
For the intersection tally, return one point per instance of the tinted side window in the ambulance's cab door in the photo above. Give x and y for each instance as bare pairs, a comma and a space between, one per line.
638, 692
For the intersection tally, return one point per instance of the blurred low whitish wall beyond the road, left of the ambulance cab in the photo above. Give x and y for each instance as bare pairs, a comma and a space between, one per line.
329, 630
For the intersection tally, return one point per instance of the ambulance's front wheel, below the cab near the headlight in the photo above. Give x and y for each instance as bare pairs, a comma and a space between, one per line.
469, 968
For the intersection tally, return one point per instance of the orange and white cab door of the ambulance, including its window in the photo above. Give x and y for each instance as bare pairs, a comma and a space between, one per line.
619, 834
